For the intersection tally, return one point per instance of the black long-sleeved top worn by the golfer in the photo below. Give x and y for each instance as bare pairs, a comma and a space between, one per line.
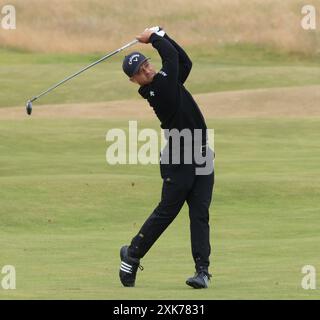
166, 94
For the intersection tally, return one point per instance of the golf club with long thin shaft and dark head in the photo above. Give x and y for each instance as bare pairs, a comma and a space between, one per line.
30, 101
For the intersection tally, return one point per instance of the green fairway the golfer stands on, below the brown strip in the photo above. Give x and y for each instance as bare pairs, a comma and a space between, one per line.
64, 212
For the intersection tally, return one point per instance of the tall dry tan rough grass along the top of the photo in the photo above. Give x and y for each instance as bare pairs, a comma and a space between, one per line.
91, 26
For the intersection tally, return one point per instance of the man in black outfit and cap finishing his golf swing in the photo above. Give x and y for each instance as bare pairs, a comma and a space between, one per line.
177, 111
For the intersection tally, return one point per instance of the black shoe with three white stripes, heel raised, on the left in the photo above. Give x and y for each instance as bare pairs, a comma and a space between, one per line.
128, 268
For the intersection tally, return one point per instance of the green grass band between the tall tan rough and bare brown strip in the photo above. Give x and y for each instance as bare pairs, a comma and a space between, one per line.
232, 67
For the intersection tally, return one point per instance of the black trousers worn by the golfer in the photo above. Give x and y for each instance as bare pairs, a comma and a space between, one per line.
180, 184
